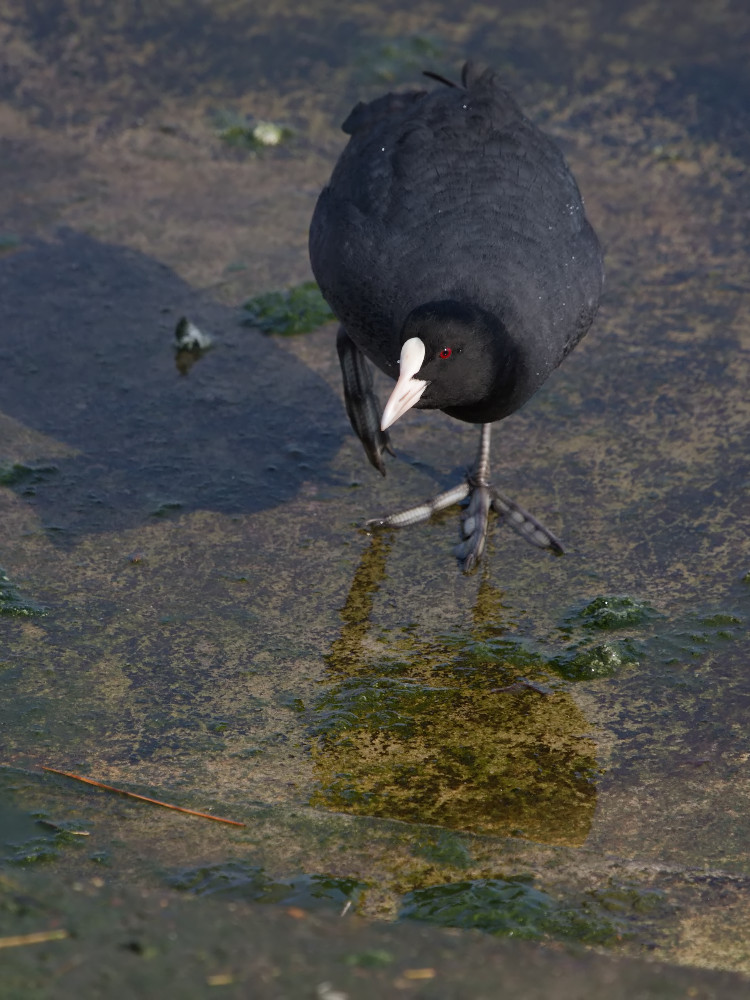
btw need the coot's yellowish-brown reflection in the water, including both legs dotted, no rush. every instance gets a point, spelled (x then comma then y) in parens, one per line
(466, 730)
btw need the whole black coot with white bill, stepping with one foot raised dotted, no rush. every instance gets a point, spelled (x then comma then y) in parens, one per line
(452, 245)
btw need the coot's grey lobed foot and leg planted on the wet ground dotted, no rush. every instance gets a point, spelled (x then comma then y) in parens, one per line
(474, 520)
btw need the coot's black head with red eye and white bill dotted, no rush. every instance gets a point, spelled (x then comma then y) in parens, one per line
(453, 355)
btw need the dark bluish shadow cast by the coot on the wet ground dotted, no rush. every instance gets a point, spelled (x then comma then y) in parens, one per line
(87, 357)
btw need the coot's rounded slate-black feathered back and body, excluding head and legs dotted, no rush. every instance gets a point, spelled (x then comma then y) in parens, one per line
(454, 194)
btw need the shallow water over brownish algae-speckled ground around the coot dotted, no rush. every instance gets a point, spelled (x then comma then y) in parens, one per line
(189, 607)
